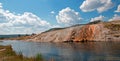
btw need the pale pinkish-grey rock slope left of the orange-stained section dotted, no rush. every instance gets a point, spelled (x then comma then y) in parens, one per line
(63, 35)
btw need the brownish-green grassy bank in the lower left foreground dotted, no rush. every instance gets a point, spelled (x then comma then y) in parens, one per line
(7, 54)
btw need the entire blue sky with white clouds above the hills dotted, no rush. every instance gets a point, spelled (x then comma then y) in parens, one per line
(35, 16)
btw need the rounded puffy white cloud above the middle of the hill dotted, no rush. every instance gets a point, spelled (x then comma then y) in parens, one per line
(68, 16)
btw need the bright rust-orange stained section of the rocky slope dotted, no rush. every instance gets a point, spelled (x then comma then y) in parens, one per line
(88, 32)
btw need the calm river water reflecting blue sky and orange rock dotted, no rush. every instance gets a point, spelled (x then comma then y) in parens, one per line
(90, 51)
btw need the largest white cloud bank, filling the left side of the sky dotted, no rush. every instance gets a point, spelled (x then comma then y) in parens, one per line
(12, 23)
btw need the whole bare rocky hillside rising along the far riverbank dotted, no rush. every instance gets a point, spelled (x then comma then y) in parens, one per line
(102, 31)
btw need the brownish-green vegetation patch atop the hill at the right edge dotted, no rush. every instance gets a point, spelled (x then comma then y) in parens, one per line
(115, 26)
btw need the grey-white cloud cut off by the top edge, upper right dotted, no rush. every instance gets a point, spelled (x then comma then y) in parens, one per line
(99, 5)
